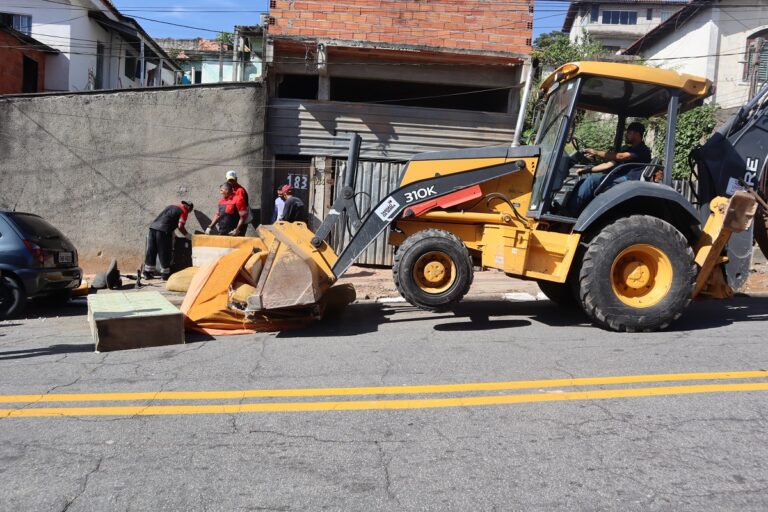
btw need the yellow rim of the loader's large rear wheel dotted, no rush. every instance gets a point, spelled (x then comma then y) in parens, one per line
(641, 276)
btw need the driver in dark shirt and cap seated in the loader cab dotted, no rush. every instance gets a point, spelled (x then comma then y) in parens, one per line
(634, 152)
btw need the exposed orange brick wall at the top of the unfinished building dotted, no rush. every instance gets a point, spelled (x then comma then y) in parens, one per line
(481, 25)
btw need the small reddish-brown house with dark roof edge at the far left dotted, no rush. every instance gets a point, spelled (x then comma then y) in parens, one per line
(23, 62)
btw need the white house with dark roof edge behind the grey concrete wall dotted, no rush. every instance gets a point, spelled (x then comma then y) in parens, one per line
(100, 48)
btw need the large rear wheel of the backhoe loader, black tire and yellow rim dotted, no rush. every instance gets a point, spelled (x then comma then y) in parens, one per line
(638, 274)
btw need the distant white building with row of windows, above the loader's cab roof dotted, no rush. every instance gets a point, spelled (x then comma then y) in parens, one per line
(618, 23)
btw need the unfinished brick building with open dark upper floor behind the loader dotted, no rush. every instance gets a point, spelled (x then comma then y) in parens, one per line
(408, 76)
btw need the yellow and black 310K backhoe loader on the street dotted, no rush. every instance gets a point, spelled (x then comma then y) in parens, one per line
(633, 257)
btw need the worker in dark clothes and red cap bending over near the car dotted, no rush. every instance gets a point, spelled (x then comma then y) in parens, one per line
(160, 238)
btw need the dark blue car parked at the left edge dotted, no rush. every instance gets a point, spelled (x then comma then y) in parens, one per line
(36, 260)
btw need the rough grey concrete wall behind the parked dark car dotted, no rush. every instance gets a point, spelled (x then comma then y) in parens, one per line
(101, 166)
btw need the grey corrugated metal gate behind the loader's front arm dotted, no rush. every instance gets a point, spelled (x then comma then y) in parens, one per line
(373, 183)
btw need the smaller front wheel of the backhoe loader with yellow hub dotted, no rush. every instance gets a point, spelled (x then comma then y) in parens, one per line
(432, 269)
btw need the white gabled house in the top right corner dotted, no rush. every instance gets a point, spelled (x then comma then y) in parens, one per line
(725, 42)
